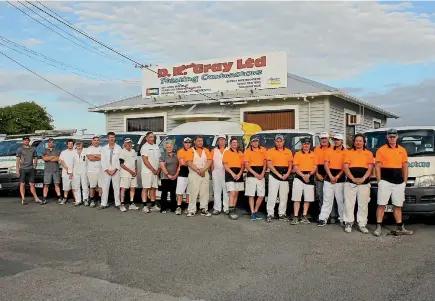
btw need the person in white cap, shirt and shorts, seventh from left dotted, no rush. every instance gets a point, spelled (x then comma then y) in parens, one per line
(128, 163)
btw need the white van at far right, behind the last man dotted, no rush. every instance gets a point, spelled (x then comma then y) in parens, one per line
(419, 142)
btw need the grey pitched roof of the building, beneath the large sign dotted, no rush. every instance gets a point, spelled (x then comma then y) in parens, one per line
(296, 86)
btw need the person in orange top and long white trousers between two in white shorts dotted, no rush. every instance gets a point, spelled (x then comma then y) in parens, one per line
(279, 161)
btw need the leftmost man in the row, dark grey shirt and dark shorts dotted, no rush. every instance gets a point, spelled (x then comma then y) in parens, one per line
(27, 160)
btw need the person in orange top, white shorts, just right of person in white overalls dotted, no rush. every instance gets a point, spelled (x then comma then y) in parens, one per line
(234, 167)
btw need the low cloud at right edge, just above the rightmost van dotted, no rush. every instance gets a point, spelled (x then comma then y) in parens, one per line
(414, 103)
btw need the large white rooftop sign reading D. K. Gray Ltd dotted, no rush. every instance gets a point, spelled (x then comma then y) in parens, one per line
(261, 71)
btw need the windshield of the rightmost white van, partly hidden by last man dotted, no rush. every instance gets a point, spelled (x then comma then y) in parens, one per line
(416, 142)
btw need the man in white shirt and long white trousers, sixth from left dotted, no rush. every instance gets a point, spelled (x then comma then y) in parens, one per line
(111, 171)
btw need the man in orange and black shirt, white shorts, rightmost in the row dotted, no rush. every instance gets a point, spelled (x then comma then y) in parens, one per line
(392, 175)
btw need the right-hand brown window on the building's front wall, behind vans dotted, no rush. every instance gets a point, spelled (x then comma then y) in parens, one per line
(272, 120)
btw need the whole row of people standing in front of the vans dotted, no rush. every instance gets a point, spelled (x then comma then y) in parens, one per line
(340, 175)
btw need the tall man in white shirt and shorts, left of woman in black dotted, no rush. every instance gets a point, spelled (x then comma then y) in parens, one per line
(150, 154)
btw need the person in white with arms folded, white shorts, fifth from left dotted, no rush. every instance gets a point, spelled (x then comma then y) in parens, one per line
(94, 170)
